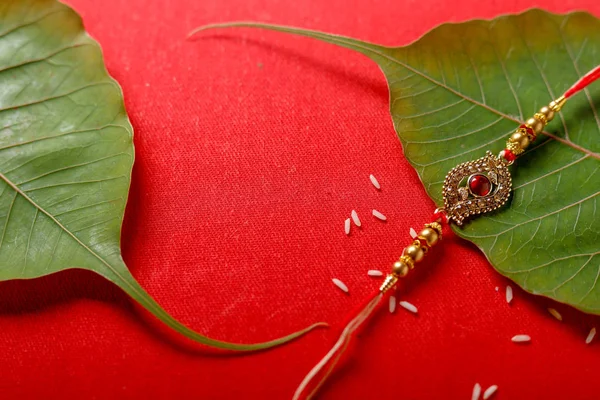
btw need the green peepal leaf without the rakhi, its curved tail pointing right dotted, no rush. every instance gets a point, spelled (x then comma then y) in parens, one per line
(66, 154)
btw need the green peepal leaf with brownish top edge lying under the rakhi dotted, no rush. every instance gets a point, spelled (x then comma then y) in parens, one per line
(462, 89)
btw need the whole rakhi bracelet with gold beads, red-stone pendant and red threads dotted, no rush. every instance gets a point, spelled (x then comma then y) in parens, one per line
(471, 188)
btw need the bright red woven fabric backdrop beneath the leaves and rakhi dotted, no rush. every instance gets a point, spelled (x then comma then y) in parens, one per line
(252, 148)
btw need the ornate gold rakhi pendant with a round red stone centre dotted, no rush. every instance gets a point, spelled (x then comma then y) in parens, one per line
(476, 187)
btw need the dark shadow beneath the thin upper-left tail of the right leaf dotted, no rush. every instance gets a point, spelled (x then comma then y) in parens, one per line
(376, 87)
